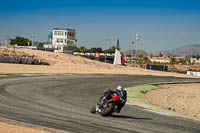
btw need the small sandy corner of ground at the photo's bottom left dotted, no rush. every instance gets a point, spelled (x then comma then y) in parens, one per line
(12, 128)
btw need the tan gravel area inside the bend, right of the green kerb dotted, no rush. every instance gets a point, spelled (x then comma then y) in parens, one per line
(181, 98)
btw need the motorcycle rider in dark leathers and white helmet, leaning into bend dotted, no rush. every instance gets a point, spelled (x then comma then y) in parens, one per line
(121, 92)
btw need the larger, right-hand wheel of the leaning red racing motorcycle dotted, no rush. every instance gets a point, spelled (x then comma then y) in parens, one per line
(108, 110)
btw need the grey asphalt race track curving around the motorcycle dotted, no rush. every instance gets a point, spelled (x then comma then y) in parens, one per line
(63, 102)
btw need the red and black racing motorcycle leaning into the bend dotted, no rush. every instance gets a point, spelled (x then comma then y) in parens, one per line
(107, 106)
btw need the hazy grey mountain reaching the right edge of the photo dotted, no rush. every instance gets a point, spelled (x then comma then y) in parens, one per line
(182, 50)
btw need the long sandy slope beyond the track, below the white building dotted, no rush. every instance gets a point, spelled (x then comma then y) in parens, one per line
(67, 63)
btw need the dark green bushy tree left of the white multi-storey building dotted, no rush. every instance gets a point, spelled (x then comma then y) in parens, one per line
(20, 41)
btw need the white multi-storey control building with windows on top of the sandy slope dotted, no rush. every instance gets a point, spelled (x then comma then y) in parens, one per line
(61, 37)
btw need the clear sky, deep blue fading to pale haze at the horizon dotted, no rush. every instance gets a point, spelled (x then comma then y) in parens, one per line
(162, 24)
